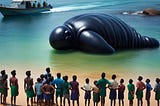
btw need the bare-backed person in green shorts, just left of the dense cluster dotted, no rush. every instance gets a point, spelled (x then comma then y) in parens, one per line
(28, 87)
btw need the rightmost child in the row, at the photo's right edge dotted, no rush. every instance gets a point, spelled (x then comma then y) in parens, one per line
(157, 90)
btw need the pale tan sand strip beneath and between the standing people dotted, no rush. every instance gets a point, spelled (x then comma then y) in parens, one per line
(21, 99)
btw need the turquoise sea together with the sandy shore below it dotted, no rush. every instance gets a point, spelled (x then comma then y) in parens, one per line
(25, 45)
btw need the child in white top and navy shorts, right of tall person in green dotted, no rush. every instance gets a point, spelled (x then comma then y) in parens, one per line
(113, 87)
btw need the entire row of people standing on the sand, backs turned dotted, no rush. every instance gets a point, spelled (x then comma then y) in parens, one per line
(46, 88)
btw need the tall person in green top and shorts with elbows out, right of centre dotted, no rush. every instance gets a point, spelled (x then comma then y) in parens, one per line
(102, 87)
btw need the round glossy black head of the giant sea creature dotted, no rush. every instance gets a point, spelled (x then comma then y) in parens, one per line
(60, 38)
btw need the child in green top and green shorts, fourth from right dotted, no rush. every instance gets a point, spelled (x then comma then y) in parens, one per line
(131, 90)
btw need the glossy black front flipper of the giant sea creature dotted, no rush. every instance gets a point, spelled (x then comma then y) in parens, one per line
(92, 42)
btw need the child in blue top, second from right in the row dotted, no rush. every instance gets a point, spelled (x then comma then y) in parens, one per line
(148, 91)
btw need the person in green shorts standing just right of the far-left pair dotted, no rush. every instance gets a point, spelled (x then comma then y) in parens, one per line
(14, 87)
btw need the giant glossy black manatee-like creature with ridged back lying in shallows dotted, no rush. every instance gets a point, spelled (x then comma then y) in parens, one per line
(98, 33)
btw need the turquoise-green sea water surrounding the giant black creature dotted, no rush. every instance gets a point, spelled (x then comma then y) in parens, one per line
(24, 41)
